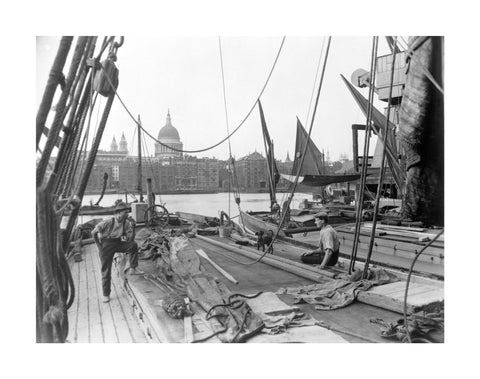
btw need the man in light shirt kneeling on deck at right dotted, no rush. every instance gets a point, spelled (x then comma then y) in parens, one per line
(327, 252)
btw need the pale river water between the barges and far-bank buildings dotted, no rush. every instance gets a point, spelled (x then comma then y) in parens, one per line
(204, 204)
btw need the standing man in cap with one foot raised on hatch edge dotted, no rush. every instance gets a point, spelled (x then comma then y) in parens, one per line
(112, 236)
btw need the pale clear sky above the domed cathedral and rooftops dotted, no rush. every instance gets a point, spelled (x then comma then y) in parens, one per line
(183, 75)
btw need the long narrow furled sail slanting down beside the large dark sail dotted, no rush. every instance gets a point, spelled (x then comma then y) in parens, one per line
(379, 127)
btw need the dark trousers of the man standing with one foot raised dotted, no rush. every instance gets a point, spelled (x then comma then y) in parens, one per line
(111, 246)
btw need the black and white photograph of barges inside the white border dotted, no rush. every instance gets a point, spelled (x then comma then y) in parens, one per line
(165, 214)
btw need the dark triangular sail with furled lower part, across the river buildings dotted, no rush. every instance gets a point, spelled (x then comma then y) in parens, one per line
(310, 171)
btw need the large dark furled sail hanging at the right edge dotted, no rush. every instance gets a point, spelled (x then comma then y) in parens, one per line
(421, 131)
